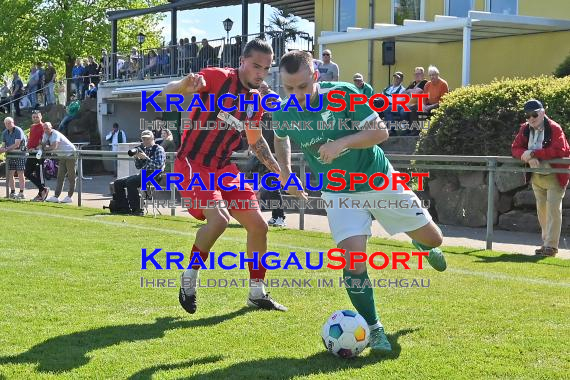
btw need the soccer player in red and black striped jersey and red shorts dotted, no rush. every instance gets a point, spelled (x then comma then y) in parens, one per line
(206, 151)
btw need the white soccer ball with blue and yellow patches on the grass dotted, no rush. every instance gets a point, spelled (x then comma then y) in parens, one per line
(345, 334)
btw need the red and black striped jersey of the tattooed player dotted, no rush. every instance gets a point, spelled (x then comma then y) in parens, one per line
(213, 148)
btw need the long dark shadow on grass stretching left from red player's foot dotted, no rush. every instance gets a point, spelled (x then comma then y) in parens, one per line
(67, 352)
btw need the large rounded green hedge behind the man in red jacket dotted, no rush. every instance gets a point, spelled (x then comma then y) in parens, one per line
(482, 120)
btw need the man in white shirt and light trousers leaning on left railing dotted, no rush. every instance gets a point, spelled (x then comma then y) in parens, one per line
(55, 140)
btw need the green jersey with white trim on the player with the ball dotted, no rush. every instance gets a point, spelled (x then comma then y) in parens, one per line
(311, 129)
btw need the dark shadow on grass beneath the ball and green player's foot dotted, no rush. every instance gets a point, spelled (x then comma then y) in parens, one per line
(281, 368)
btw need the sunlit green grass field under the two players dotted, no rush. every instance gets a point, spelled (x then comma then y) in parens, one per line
(72, 307)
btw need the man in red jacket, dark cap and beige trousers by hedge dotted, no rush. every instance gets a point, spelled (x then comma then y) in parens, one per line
(543, 139)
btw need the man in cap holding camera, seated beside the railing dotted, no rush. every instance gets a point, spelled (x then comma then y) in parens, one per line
(149, 156)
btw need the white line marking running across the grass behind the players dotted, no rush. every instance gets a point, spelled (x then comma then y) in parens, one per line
(488, 275)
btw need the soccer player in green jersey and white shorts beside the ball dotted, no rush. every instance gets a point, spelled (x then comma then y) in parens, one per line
(353, 150)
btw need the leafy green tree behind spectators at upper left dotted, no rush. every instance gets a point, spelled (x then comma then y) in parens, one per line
(62, 30)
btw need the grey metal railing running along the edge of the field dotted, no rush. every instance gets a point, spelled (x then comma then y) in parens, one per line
(489, 164)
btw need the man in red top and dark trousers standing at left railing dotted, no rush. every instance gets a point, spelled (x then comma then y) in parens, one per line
(34, 166)
